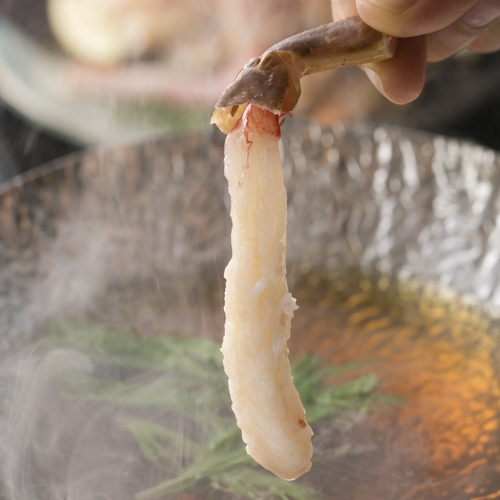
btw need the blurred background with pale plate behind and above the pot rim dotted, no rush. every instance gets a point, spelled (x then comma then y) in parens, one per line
(75, 73)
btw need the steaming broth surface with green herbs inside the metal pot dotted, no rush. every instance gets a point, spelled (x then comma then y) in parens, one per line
(416, 408)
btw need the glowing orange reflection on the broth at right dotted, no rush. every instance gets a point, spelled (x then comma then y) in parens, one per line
(434, 351)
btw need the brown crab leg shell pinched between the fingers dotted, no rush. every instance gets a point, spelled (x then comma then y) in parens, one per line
(272, 81)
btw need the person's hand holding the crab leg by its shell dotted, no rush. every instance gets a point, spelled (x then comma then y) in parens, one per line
(428, 30)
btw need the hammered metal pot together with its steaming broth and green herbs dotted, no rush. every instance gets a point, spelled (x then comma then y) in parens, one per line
(424, 427)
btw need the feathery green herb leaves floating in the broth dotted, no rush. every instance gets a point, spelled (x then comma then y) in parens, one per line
(184, 378)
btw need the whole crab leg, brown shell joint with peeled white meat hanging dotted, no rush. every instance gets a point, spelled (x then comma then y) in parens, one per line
(258, 306)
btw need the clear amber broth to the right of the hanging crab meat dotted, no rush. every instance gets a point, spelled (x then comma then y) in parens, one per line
(436, 352)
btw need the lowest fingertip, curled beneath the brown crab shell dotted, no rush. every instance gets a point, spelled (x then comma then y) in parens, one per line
(401, 79)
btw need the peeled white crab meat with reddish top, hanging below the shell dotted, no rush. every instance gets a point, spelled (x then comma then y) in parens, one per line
(258, 305)
